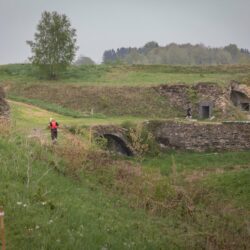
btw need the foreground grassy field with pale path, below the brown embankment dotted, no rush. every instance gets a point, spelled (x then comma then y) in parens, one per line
(74, 196)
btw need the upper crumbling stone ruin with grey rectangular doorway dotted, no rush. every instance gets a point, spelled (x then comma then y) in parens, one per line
(206, 98)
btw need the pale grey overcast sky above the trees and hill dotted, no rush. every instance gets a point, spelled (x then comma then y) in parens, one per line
(107, 24)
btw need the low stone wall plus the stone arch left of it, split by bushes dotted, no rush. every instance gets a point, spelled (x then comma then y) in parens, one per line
(183, 135)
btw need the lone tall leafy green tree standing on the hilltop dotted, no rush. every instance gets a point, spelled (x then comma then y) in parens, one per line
(54, 45)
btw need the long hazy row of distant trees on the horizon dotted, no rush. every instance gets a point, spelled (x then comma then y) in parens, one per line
(178, 54)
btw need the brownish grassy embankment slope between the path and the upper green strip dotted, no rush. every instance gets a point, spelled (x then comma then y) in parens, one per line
(108, 101)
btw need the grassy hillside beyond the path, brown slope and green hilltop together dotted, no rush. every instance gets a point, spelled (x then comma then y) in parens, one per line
(113, 90)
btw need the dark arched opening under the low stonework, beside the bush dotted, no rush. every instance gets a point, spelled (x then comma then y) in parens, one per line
(116, 144)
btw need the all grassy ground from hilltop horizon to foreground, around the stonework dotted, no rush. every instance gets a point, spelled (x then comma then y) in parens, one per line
(76, 196)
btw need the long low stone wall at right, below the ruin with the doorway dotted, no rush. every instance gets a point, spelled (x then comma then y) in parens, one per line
(201, 136)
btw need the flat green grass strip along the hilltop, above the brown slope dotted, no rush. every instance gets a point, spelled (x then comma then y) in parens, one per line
(125, 75)
